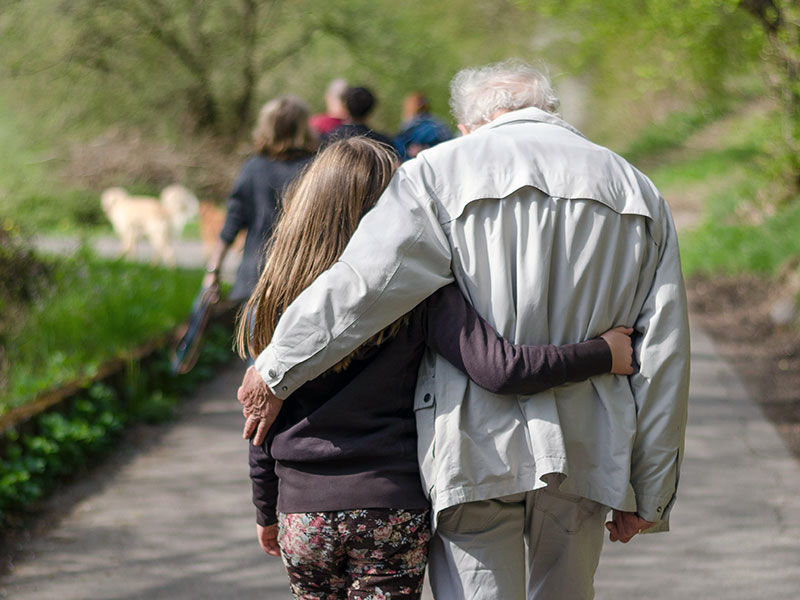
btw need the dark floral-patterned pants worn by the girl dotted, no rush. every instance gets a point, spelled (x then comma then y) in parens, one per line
(370, 554)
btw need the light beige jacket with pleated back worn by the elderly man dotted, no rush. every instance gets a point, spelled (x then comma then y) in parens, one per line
(554, 240)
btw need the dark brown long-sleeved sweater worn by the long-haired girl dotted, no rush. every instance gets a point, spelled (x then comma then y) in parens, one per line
(347, 439)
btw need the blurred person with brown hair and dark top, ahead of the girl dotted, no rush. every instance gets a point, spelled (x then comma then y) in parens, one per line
(283, 144)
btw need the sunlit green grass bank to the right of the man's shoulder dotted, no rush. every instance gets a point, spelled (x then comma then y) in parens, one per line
(733, 178)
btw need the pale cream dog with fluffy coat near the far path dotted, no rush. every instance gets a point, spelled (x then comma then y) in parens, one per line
(135, 216)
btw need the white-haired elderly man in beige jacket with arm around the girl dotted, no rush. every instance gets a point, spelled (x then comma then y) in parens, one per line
(553, 239)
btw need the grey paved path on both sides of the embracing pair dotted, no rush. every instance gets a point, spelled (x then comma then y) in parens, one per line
(174, 521)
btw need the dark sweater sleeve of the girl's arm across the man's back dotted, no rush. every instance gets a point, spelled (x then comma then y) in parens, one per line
(456, 331)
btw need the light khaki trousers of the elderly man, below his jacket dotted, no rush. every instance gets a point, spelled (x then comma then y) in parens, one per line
(479, 549)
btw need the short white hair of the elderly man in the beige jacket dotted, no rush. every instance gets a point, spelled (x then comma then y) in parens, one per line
(477, 94)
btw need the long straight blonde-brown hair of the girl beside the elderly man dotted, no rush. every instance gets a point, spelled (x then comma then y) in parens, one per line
(321, 210)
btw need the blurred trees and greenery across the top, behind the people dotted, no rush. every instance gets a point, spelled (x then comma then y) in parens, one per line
(177, 83)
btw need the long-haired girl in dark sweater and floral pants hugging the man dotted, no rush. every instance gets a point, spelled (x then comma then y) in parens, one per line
(336, 483)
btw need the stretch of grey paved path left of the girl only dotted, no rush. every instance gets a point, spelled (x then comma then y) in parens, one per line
(174, 522)
